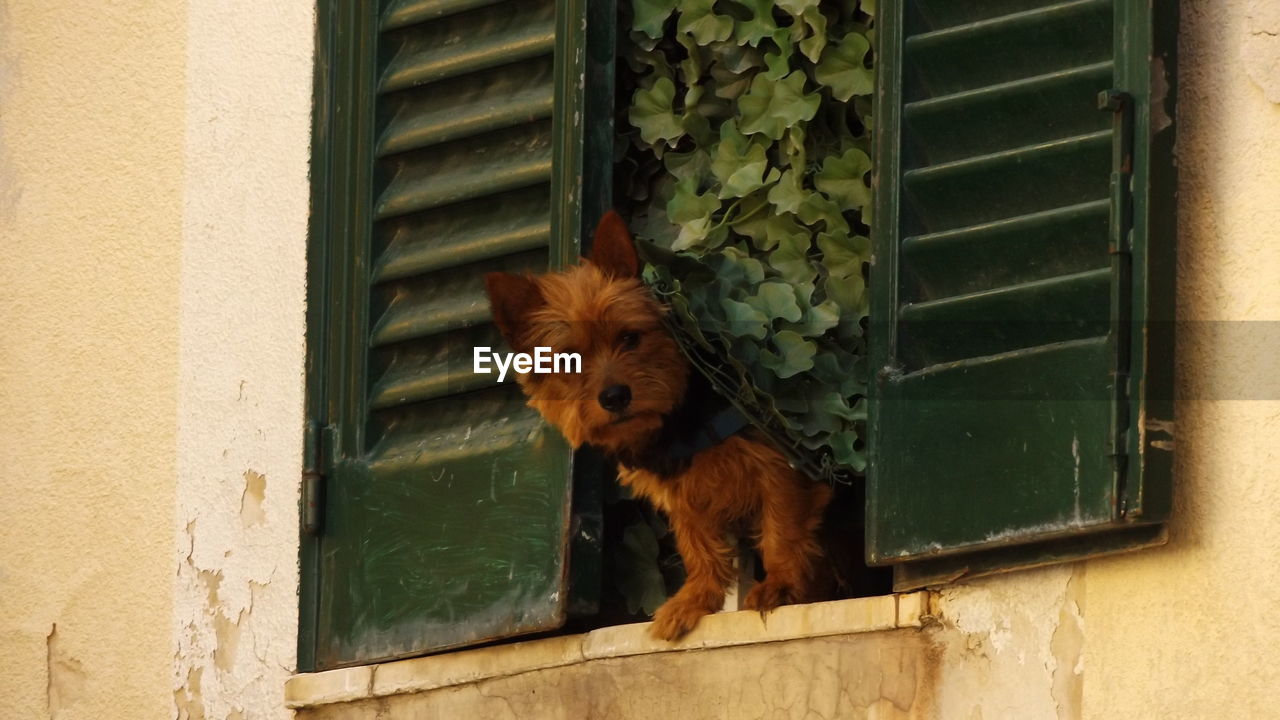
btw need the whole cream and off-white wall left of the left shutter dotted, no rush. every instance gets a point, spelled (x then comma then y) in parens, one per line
(153, 211)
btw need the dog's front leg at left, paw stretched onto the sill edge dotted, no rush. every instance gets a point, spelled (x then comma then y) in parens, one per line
(710, 568)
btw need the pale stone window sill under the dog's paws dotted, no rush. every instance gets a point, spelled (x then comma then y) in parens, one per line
(724, 630)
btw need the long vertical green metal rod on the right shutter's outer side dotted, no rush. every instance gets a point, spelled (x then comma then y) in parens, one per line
(1121, 245)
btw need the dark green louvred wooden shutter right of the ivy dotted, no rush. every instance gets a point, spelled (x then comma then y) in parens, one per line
(1022, 284)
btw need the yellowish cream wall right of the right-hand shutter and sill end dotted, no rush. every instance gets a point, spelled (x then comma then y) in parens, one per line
(1191, 630)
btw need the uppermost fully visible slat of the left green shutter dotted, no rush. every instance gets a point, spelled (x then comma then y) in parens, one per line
(469, 43)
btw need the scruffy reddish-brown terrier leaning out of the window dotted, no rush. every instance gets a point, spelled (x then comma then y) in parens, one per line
(638, 399)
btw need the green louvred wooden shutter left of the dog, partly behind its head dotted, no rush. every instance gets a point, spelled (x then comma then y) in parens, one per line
(450, 143)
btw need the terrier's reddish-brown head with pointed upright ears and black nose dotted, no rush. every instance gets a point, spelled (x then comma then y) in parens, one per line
(633, 372)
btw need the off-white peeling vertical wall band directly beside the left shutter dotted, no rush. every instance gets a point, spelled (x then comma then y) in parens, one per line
(241, 382)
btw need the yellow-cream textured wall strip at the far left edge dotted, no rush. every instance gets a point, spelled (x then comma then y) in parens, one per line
(92, 186)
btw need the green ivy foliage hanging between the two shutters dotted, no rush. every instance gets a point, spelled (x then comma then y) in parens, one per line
(746, 157)
